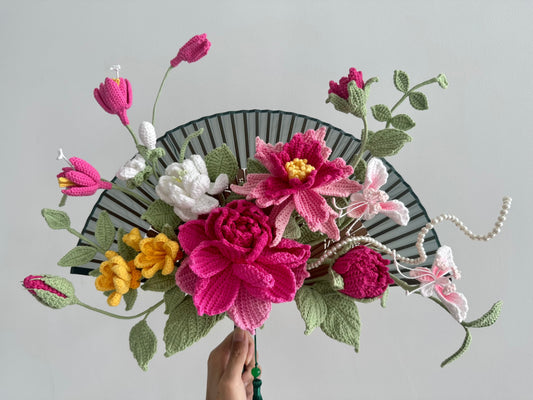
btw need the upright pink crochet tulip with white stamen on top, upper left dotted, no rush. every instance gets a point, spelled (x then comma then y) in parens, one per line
(115, 97)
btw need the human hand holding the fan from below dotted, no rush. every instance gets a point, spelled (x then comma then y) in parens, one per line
(226, 379)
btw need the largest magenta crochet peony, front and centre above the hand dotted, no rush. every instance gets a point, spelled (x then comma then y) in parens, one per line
(231, 266)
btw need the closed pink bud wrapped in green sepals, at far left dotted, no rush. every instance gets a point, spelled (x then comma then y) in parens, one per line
(52, 291)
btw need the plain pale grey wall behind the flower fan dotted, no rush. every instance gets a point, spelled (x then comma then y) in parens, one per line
(471, 148)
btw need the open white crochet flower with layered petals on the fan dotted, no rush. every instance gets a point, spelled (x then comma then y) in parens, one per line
(186, 186)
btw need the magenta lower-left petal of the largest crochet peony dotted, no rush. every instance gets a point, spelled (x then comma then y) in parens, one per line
(217, 294)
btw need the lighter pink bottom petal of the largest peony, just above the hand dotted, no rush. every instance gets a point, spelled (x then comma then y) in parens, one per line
(248, 312)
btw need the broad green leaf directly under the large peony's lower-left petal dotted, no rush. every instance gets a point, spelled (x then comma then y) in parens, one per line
(185, 327)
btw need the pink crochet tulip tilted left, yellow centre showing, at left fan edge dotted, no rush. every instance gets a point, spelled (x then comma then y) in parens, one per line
(82, 180)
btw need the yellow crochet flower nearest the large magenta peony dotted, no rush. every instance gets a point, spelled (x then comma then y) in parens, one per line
(158, 253)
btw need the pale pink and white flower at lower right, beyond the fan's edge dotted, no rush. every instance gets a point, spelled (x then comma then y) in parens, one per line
(434, 281)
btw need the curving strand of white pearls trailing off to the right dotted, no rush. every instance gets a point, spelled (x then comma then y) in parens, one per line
(355, 240)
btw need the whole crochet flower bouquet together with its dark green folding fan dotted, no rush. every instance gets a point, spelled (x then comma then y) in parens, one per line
(224, 227)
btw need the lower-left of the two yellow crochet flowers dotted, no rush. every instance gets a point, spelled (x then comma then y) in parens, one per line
(117, 275)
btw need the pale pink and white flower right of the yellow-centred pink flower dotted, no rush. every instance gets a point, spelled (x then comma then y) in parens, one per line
(371, 201)
